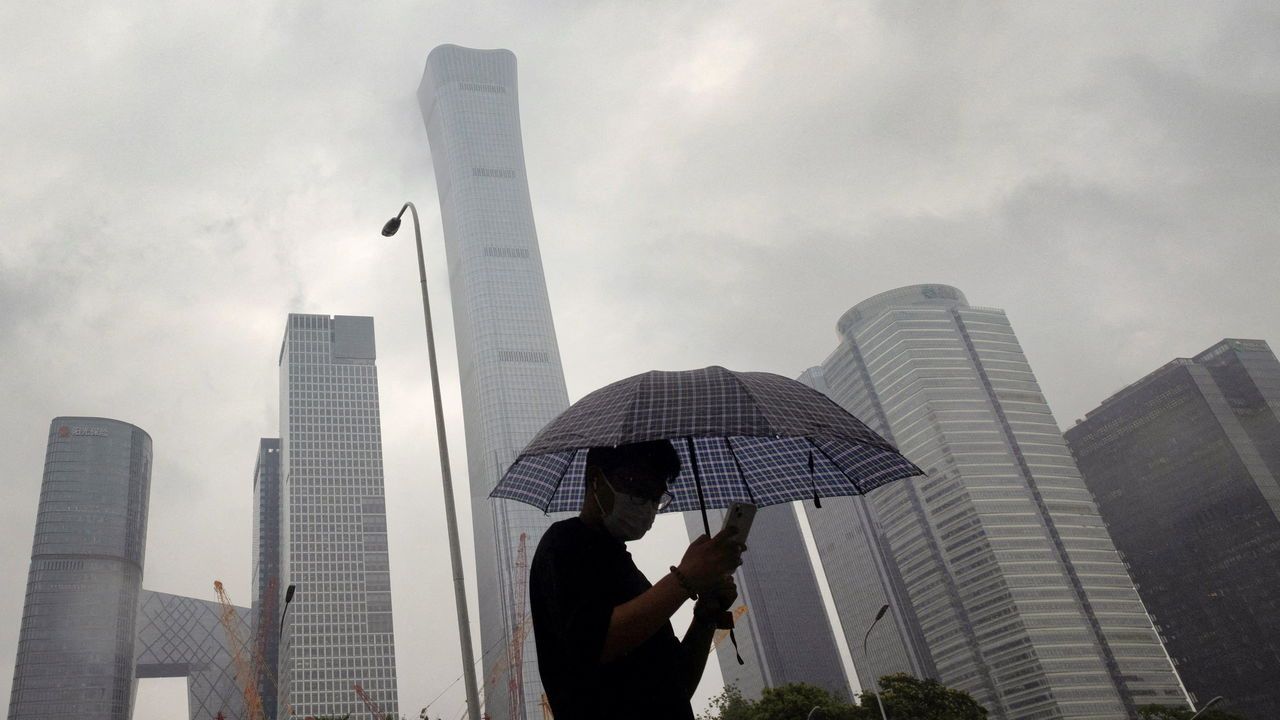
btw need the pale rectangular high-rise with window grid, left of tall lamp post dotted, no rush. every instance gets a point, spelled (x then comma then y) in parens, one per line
(333, 522)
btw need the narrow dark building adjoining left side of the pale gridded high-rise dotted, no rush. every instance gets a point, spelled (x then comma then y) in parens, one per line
(267, 590)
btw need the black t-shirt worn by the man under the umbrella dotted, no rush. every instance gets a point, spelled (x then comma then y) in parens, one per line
(579, 576)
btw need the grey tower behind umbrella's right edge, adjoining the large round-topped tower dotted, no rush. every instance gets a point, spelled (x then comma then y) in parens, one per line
(863, 578)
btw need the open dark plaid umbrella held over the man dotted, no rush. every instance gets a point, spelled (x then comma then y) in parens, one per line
(751, 438)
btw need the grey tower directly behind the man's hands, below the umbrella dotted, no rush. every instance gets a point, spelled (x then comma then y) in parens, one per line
(785, 635)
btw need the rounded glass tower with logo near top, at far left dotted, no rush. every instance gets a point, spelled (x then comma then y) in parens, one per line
(76, 645)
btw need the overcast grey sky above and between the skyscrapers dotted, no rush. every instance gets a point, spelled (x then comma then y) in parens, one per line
(714, 184)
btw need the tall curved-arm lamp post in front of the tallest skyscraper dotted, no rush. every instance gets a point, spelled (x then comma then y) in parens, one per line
(460, 593)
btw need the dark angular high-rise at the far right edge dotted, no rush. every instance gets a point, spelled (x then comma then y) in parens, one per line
(1185, 466)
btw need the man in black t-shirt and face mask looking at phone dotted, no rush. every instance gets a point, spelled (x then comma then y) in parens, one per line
(606, 648)
